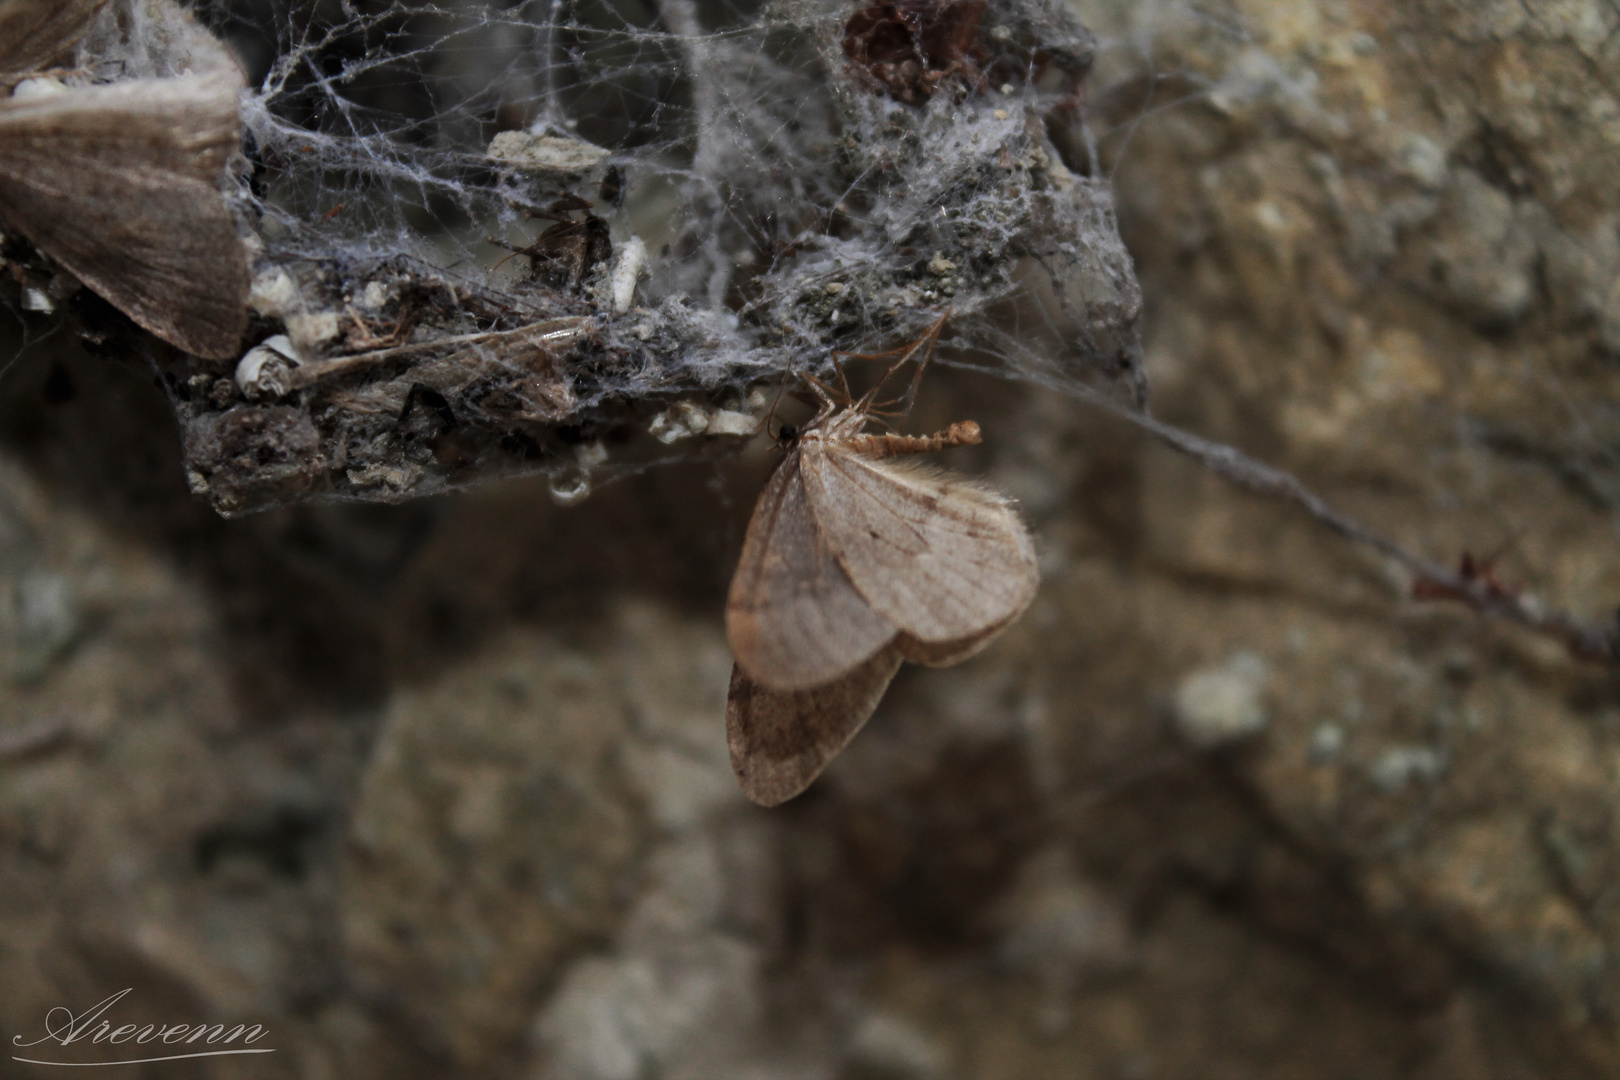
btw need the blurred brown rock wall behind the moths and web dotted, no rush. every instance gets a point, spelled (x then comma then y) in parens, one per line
(441, 789)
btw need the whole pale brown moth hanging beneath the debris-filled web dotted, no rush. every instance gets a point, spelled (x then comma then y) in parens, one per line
(858, 559)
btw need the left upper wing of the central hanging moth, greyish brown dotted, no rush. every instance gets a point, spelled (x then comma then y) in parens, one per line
(793, 616)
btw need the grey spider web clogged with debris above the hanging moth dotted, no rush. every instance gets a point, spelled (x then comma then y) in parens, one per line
(774, 181)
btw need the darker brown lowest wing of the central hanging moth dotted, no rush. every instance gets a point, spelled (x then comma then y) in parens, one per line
(780, 742)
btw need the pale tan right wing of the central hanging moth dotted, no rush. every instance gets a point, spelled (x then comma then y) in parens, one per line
(945, 561)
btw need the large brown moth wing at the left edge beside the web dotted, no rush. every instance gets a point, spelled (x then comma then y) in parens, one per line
(121, 185)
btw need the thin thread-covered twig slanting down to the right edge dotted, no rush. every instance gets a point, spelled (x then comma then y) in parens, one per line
(1431, 580)
